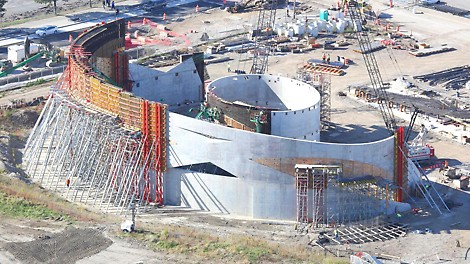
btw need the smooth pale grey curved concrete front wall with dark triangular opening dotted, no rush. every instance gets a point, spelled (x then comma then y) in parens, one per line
(263, 166)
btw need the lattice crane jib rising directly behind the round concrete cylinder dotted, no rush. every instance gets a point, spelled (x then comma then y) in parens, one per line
(261, 34)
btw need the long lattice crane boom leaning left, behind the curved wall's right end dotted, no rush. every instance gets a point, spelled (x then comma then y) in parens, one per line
(354, 10)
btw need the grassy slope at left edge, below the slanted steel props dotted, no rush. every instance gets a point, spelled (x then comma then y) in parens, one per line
(21, 200)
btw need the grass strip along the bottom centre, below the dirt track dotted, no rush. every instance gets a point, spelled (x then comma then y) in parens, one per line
(200, 246)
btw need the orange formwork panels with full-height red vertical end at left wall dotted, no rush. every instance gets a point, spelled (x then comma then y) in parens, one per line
(82, 84)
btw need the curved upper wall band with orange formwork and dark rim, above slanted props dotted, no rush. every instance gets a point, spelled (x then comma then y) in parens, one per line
(83, 84)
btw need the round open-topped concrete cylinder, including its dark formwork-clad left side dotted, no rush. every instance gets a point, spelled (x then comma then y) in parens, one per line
(290, 108)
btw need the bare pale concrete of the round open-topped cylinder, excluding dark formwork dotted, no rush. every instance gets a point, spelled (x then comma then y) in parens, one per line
(298, 103)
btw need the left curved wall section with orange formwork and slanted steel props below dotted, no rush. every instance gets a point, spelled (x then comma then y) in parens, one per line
(111, 144)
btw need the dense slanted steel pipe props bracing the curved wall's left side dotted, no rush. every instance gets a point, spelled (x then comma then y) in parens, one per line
(88, 157)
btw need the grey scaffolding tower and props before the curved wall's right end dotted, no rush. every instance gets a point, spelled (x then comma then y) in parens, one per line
(326, 199)
